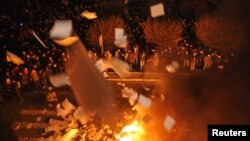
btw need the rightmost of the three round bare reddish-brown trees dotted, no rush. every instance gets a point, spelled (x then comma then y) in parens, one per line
(220, 33)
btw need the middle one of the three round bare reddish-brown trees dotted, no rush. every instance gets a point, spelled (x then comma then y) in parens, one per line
(163, 33)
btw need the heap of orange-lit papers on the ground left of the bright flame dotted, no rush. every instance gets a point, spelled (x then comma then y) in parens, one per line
(77, 124)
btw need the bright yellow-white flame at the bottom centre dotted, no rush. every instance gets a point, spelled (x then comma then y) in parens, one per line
(131, 132)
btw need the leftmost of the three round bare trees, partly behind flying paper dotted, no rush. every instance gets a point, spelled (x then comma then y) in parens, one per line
(106, 28)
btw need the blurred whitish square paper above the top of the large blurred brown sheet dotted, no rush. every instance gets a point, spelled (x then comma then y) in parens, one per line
(61, 29)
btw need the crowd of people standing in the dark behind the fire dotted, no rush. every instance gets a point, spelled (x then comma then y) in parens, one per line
(40, 62)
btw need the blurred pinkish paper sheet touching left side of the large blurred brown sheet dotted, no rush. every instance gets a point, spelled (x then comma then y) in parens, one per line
(59, 80)
